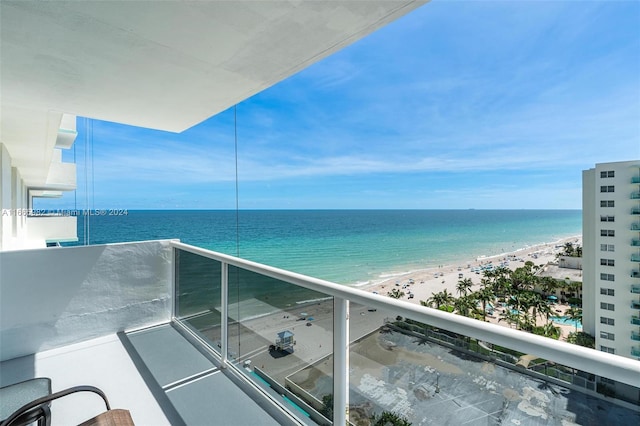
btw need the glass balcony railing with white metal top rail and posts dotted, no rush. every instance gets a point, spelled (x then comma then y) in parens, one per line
(336, 354)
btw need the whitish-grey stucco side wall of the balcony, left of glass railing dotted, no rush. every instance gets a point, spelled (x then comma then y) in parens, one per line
(58, 296)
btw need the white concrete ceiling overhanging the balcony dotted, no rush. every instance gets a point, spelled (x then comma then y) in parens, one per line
(158, 64)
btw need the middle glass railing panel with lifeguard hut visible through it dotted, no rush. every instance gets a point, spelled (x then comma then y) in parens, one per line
(282, 337)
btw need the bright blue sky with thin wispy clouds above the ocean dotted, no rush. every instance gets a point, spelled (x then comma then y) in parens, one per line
(456, 105)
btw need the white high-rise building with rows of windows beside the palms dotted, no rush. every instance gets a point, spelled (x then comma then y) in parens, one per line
(611, 265)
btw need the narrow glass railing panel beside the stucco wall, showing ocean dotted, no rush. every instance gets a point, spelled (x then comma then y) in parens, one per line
(198, 283)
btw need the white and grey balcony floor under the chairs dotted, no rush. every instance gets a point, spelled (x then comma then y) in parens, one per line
(157, 374)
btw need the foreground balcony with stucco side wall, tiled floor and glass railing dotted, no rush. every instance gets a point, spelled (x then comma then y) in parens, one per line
(204, 338)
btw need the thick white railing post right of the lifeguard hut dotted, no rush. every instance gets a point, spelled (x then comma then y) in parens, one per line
(340, 361)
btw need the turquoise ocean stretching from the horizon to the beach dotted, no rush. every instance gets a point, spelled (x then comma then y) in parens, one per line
(351, 247)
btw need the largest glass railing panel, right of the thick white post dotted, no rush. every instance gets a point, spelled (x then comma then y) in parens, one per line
(411, 371)
